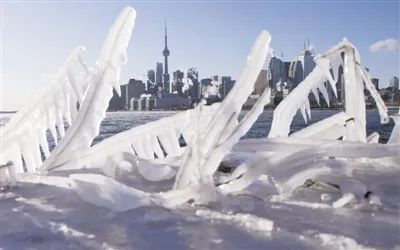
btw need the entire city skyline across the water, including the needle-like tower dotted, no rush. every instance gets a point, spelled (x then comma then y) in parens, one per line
(184, 90)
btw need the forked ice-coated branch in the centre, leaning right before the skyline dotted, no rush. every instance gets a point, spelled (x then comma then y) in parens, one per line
(212, 143)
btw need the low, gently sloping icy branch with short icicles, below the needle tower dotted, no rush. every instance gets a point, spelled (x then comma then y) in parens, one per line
(157, 141)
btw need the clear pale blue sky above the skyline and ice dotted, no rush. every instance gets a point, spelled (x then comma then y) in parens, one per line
(213, 36)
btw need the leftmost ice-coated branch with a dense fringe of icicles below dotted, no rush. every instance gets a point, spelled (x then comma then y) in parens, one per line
(24, 136)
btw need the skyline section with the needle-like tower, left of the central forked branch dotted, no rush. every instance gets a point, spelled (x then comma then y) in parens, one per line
(160, 92)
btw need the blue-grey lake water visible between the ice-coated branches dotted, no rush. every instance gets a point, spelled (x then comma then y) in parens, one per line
(116, 122)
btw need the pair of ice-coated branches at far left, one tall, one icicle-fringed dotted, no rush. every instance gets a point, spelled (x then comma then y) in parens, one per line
(24, 137)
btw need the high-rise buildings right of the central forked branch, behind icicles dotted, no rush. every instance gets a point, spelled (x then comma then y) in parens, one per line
(283, 76)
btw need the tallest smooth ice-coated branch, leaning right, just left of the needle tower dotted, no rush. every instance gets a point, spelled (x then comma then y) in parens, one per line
(106, 76)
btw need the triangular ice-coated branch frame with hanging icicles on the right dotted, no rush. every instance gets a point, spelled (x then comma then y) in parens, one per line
(355, 77)
